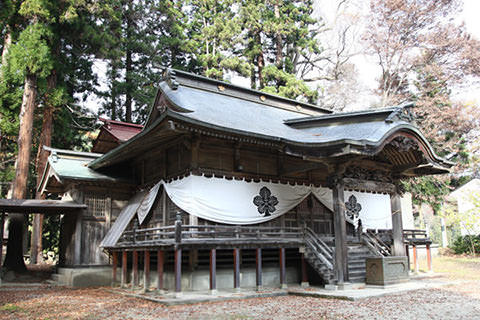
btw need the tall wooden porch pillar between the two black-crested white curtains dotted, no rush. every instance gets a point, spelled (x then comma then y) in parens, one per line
(340, 232)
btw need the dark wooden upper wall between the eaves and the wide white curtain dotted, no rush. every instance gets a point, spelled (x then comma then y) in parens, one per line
(202, 154)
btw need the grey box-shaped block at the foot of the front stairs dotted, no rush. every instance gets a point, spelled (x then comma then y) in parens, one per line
(387, 270)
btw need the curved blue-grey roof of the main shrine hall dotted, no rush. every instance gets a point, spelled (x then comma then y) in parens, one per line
(301, 128)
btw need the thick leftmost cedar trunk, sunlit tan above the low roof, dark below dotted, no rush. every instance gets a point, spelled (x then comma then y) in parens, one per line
(14, 257)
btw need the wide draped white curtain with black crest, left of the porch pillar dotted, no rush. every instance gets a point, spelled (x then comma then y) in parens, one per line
(237, 201)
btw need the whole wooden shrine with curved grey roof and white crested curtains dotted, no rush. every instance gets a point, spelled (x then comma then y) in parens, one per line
(177, 197)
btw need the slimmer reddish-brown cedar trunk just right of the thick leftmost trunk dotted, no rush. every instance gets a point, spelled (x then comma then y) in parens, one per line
(36, 248)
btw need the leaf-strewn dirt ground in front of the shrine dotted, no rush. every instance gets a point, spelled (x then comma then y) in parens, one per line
(458, 301)
